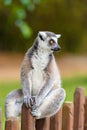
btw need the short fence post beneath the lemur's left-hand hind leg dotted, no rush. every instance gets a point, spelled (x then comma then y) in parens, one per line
(12, 124)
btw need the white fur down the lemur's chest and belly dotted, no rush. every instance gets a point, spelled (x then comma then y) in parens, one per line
(38, 76)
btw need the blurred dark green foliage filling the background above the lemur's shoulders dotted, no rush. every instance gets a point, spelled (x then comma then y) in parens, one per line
(20, 20)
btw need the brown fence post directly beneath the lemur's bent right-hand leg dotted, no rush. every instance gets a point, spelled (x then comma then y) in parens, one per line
(56, 121)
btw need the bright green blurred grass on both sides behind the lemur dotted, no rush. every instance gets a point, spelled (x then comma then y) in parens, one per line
(69, 84)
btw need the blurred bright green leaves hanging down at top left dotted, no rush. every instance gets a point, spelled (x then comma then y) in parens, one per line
(18, 12)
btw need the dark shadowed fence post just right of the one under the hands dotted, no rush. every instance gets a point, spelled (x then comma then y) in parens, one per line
(43, 124)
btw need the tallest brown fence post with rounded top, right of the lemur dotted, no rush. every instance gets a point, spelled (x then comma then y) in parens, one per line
(79, 100)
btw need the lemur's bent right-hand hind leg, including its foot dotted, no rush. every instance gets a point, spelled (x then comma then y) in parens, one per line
(51, 104)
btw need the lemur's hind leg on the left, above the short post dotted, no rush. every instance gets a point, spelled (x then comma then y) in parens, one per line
(13, 103)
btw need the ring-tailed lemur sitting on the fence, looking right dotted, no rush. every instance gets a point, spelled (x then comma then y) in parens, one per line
(41, 84)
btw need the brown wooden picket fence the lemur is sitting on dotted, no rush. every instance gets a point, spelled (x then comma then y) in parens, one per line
(72, 116)
